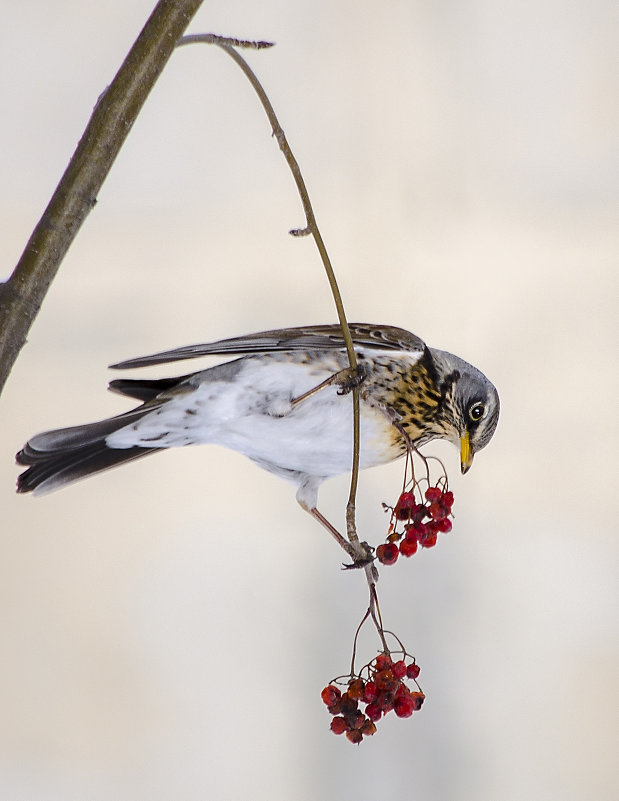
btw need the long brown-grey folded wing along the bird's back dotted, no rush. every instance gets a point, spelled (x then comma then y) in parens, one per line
(311, 337)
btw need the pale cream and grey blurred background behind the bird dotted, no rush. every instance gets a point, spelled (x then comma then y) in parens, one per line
(166, 628)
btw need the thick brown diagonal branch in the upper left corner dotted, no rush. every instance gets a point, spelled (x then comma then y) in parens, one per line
(23, 293)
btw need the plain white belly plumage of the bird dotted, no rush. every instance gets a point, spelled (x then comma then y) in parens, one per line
(252, 414)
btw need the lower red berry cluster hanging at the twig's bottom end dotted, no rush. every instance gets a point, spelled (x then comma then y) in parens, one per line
(382, 691)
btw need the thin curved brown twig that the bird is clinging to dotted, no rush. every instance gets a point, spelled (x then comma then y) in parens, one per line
(312, 227)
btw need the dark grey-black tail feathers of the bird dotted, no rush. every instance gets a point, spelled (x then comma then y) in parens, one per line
(60, 457)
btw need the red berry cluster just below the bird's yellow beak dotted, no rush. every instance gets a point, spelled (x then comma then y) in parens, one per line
(412, 511)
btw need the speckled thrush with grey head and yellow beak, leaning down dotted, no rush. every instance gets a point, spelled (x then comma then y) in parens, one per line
(283, 404)
